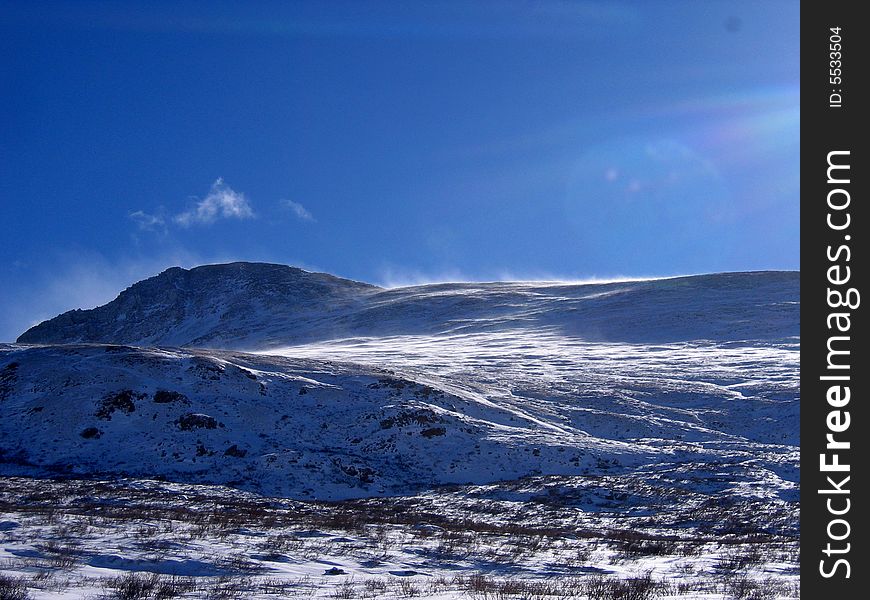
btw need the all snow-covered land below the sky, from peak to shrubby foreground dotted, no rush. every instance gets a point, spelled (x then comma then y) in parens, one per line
(450, 441)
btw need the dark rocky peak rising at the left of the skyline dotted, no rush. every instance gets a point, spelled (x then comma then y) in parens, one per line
(203, 306)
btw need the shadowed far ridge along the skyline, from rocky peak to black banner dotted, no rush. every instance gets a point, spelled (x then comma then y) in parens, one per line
(261, 306)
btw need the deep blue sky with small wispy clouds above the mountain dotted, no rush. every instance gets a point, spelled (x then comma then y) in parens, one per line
(392, 142)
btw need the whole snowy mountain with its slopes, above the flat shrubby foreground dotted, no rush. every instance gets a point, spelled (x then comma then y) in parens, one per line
(349, 390)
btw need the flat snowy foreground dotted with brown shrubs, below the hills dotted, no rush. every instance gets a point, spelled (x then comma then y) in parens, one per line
(613, 537)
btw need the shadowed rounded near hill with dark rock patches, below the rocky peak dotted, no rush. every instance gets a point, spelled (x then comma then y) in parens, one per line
(289, 427)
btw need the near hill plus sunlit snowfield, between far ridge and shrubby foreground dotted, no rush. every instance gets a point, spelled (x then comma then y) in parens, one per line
(307, 427)
